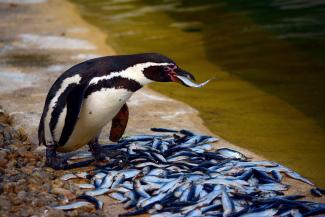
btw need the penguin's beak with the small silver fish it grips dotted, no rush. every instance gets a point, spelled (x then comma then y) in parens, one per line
(187, 79)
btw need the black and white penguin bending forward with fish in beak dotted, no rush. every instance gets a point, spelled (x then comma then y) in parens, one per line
(93, 93)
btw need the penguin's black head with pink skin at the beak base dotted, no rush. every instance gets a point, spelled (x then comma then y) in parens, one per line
(166, 70)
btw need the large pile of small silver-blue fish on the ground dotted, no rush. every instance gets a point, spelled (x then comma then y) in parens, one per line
(177, 173)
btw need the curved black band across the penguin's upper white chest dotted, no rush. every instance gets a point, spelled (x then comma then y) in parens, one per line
(115, 82)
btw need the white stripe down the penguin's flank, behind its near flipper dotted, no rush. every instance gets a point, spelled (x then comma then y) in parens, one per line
(71, 80)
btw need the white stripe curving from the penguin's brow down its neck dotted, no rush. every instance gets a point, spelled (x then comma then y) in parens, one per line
(133, 72)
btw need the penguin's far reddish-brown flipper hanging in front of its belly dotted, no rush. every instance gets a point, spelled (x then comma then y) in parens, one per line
(119, 123)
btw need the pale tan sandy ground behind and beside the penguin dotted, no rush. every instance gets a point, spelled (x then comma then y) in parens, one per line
(38, 41)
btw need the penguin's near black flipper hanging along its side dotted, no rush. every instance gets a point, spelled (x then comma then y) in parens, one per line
(73, 102)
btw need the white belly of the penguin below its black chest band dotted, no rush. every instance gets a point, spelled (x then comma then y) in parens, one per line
(97, 110)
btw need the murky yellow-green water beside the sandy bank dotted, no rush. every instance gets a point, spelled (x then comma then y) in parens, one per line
(268, 57)
